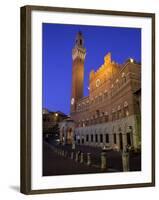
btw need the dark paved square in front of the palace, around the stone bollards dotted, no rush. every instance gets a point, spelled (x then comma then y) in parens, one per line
(54, 164)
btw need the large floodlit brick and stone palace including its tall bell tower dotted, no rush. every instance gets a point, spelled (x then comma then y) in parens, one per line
(110, 115)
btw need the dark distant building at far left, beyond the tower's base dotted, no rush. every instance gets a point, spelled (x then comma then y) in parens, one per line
(51, 121)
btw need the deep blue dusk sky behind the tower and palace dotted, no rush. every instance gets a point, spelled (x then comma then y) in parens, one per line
(58, 41)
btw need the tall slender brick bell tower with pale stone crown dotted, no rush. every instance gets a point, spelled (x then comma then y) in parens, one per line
(78, 57)
